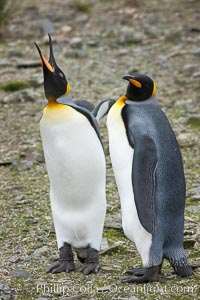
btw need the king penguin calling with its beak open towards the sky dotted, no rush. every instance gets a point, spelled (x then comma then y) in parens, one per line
(75, 164)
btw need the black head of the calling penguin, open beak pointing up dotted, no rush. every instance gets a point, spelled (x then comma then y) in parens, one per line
(55, 82)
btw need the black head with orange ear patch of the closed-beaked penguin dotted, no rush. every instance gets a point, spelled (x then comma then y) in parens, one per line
(140, 87)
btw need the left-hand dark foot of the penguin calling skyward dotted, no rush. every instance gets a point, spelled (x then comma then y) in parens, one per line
(66, 261)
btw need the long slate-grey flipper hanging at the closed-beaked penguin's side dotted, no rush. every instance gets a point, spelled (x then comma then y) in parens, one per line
(143, 178)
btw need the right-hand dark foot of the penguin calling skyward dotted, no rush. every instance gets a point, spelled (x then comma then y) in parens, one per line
(91, 264)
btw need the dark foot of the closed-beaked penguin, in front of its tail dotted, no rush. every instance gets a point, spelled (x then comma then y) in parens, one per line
(150, 275)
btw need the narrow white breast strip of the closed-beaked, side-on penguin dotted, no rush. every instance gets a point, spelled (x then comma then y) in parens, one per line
(122, 158)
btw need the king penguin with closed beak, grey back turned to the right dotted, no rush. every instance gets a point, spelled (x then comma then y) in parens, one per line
(149, 174)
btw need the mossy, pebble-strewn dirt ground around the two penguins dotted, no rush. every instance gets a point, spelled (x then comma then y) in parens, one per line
(96, 43)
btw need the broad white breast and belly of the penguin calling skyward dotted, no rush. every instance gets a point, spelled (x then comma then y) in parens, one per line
(76, 168)
